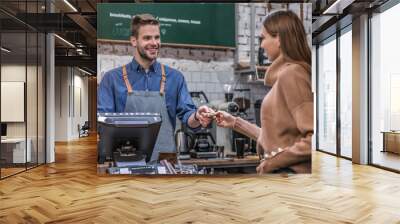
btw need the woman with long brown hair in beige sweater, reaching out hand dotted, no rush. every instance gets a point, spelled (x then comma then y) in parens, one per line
(284, 139)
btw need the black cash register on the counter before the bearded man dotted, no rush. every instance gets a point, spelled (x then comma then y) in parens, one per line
(127, 141)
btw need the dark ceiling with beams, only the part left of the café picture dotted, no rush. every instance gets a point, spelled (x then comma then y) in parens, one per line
(76, 25)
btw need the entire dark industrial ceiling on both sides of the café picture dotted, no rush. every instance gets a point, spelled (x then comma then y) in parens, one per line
(75, 21)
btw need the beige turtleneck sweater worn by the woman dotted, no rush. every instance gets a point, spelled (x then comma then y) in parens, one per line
(286, 117)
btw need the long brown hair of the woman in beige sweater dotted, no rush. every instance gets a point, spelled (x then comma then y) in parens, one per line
(290, 30)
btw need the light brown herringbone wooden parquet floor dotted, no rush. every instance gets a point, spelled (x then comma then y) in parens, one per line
(69, 191)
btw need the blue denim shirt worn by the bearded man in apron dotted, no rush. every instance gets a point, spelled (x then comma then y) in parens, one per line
(112, 92)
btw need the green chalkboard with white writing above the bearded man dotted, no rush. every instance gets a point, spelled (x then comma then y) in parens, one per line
(211, 24)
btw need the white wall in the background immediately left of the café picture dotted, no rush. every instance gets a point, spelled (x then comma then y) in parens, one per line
(70, 83)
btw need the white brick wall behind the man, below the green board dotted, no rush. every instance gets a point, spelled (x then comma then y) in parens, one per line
(209, 73)
